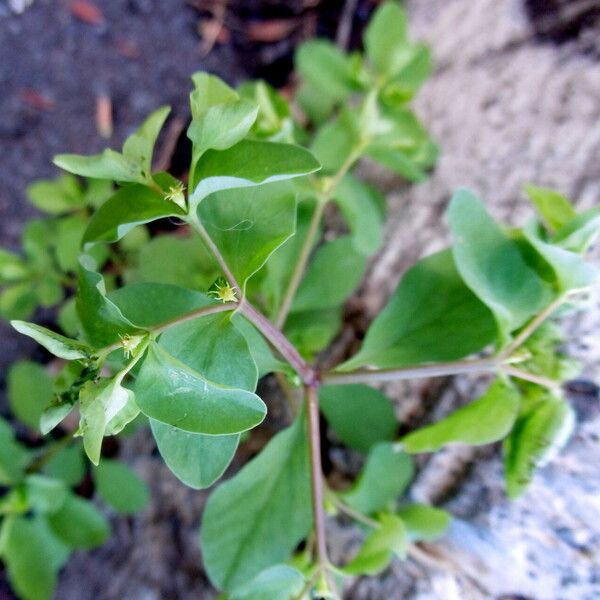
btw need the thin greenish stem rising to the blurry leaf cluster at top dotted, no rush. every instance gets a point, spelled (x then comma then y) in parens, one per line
(313, 228)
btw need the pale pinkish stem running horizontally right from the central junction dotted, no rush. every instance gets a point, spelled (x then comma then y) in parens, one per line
(476, 365)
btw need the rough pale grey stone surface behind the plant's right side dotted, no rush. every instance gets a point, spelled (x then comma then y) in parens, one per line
(506, 110)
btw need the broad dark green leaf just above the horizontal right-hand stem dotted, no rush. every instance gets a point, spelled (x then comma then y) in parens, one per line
(432, 316)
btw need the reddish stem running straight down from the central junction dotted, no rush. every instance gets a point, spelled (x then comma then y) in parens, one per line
(314, 439)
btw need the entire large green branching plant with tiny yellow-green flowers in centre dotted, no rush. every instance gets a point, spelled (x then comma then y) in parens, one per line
(189, 359)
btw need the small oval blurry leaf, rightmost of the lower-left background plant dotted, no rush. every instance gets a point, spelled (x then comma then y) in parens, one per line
(121, 487)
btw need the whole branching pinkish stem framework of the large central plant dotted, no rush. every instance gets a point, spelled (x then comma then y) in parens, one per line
(311, 377)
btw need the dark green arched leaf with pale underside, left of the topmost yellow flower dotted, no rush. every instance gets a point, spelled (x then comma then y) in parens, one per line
(130, 206)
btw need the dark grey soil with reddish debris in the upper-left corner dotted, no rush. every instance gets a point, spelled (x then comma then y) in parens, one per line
(58, 58)
